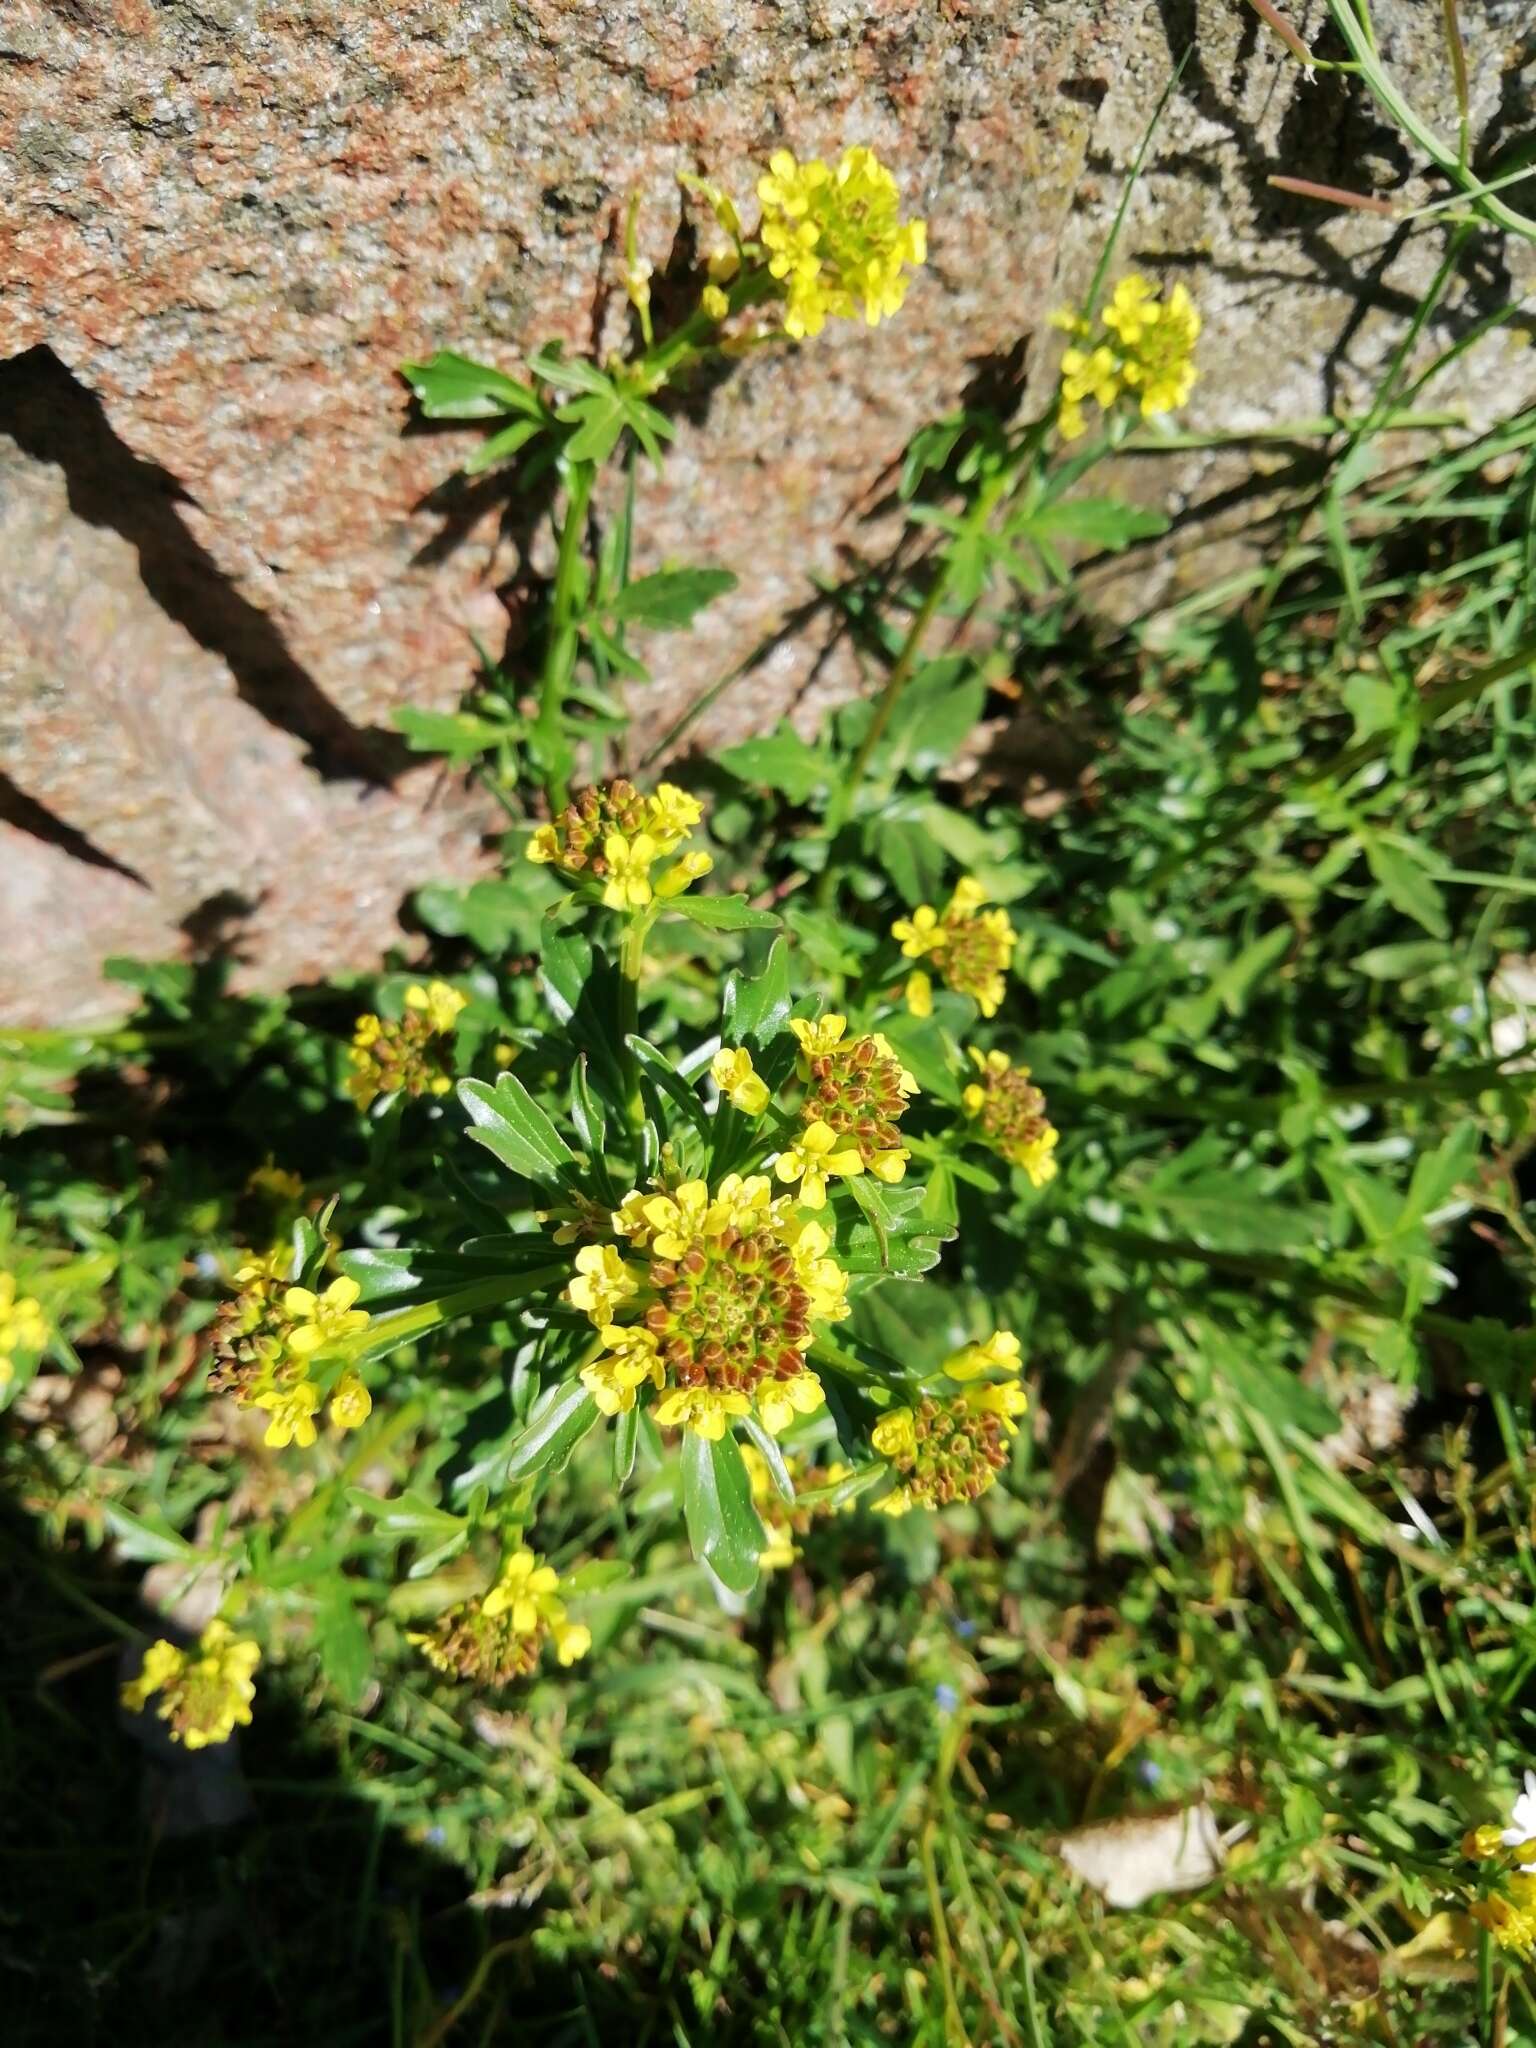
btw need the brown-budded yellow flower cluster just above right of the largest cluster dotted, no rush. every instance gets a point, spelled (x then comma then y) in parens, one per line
(855, 1095)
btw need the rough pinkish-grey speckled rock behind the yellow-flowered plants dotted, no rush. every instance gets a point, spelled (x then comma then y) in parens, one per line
(228, 222)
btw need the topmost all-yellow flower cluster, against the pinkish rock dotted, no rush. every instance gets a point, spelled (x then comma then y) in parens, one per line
(837, 241)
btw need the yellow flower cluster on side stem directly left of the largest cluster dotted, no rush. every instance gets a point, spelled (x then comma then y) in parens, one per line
(267, 1340)
